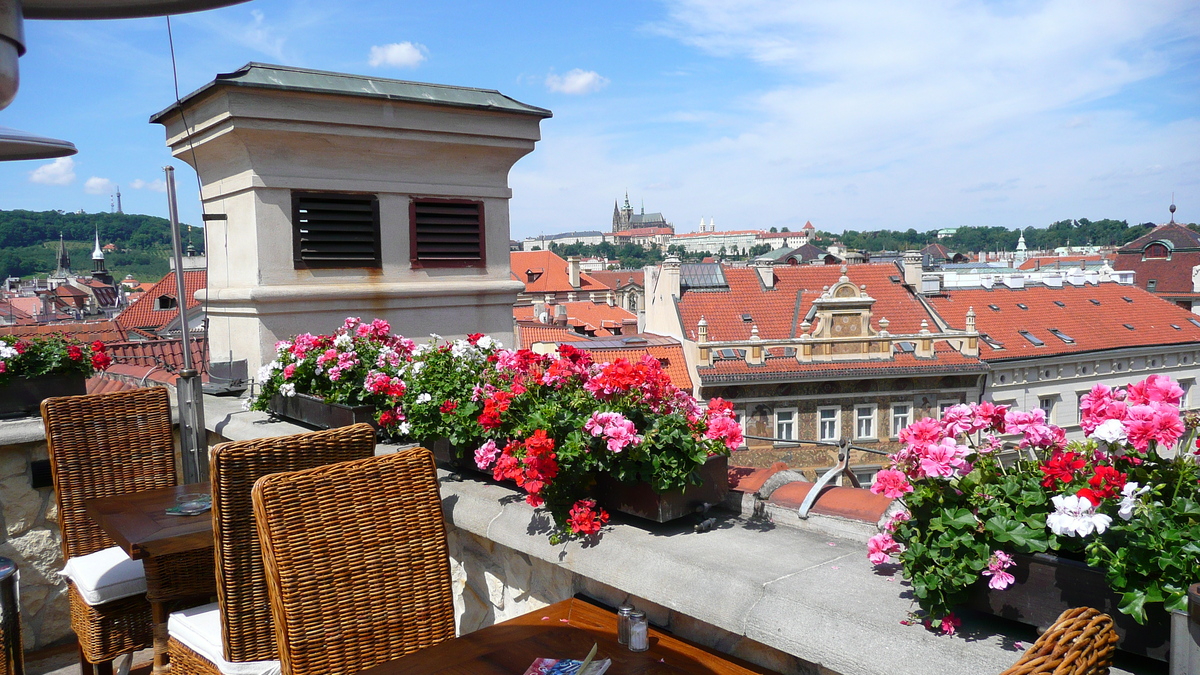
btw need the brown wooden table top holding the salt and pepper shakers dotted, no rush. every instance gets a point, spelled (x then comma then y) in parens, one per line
(566, 630)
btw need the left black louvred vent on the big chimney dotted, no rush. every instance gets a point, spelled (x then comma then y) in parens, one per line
(335, 231)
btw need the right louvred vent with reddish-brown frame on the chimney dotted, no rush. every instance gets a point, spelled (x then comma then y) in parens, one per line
(447, 234)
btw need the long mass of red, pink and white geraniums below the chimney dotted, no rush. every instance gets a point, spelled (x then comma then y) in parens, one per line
(551, 425)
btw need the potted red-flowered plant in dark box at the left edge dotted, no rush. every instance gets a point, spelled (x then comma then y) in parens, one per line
(38, 368)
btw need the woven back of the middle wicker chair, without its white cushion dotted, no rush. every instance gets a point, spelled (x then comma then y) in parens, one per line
(248, 631)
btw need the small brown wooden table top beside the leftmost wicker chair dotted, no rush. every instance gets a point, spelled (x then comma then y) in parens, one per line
(140, 524)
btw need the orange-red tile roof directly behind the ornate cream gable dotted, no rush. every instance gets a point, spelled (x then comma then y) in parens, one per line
(779, 313)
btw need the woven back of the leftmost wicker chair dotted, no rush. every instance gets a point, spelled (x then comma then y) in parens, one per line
(101, 446)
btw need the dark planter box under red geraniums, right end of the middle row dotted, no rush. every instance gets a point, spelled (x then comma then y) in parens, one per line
(641, 500)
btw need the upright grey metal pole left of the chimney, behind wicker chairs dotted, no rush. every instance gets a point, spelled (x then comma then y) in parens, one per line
(193, 437)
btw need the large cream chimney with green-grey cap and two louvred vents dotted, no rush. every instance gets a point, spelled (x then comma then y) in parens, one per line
(383, 172)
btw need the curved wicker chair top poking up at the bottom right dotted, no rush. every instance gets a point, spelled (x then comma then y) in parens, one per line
(1082, 642)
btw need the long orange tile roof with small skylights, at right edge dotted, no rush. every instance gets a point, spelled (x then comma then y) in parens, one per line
(1094, 327)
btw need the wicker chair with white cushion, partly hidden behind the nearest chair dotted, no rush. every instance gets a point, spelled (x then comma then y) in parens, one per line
(243, 614)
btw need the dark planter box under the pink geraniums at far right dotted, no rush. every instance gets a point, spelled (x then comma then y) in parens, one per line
(1047, 586)
